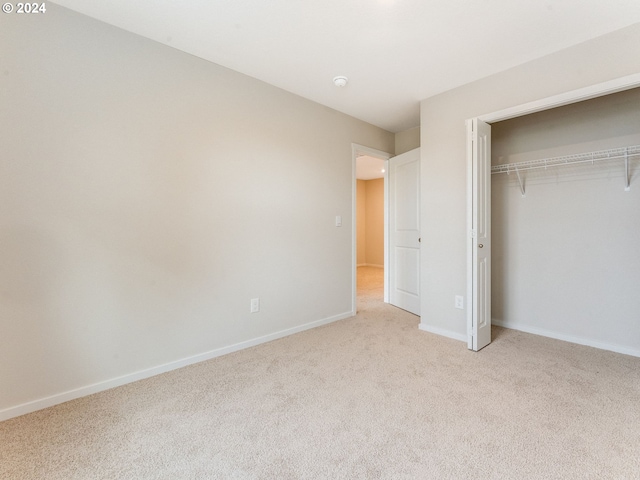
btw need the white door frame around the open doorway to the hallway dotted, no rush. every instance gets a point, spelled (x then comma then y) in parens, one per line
(357, 149)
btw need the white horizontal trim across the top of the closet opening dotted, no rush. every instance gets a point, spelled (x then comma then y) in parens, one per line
(573, 96)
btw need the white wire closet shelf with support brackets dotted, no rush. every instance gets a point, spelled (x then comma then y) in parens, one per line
(589, 157)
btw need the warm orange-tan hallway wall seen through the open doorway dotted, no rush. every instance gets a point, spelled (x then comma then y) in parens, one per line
(371, 222)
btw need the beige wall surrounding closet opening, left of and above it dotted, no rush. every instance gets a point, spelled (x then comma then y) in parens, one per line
(443, 155)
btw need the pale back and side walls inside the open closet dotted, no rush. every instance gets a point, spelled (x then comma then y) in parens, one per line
(566, 261)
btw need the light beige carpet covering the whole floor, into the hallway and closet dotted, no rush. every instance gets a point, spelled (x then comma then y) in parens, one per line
(370, 397)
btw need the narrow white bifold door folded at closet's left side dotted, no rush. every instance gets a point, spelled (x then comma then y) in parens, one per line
(479, 242)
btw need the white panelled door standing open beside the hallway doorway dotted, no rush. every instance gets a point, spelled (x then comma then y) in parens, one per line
(404, 231)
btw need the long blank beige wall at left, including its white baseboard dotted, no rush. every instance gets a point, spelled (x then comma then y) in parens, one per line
(145, 197)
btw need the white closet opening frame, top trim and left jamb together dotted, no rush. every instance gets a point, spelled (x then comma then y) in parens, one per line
(574, 96)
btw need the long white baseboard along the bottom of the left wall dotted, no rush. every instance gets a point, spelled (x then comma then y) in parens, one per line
(56, 399)
